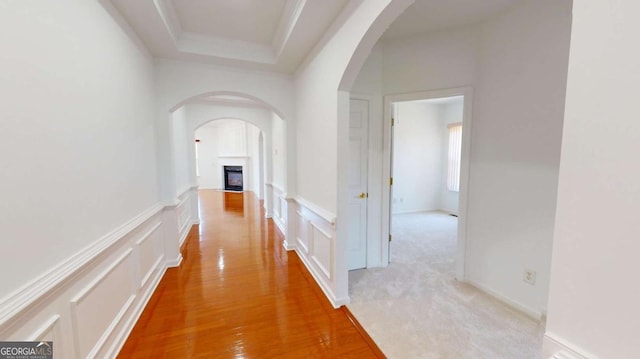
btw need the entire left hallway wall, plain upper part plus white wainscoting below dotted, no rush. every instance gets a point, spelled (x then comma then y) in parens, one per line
(81, 218)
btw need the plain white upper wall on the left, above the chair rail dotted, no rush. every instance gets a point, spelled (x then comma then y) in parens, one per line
(77, 133)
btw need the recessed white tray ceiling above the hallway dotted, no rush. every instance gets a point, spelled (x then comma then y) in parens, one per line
(265, 34)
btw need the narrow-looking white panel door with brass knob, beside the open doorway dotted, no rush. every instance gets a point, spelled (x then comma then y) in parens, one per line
(358, 157)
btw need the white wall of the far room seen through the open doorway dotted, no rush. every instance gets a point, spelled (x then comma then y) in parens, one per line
(417, 158)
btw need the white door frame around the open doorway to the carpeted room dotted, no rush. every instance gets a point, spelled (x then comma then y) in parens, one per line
(467, 92)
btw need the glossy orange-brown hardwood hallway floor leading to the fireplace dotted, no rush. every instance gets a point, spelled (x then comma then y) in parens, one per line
(239, 294)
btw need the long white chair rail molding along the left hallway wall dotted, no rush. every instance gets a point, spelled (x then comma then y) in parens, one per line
(36, 290)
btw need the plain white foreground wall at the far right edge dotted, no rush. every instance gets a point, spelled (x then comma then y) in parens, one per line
(594, 296)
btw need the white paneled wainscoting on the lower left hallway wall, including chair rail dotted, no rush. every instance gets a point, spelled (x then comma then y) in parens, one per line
(88, 304)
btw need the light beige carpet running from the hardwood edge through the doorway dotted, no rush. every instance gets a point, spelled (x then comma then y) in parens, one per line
(416, 309)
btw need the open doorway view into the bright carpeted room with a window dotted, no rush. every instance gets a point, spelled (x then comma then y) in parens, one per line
(426, 154)
